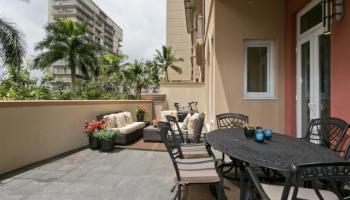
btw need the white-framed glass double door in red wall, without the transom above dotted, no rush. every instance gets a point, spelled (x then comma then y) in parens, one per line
(313, 85)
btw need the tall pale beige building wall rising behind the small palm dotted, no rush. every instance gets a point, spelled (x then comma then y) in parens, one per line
(178, 38)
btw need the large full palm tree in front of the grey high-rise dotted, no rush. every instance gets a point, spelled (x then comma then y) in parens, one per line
(68, 40)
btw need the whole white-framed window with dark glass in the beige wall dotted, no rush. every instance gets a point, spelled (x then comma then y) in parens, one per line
(259, 69)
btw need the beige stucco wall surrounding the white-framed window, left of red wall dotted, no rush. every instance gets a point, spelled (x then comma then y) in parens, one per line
(235, 21)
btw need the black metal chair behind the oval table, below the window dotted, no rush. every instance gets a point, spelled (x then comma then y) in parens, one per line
(230, 120)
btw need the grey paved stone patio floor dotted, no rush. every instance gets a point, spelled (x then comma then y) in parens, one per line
(122, 174)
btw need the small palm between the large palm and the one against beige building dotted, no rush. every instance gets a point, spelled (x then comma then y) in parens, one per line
(137, 75)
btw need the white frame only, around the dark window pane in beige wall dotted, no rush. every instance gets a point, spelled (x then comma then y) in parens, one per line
(270, 94)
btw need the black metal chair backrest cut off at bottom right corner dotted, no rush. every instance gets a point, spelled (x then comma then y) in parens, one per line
(316, 173)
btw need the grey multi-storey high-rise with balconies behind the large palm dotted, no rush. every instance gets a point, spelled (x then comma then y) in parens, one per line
(101, 29)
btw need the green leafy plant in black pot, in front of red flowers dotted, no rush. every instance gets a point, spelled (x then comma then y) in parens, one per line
(106, 138)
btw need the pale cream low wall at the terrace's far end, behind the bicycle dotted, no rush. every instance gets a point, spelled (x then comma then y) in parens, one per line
(183, 93)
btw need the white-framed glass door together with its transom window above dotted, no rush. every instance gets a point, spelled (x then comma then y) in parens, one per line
(313, 67)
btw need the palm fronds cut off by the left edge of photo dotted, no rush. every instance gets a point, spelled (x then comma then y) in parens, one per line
(12, 48)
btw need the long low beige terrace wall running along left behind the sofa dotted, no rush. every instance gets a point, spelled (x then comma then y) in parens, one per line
(34, 131)
